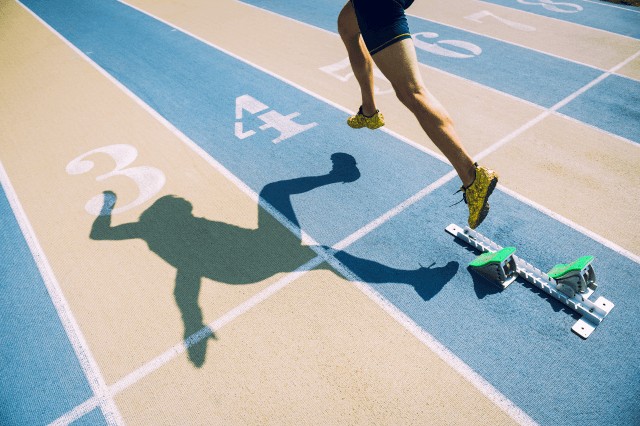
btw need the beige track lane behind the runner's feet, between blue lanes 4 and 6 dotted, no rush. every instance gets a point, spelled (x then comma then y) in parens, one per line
(296, 52)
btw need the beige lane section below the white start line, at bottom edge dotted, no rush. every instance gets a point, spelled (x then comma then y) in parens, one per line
(319, 352)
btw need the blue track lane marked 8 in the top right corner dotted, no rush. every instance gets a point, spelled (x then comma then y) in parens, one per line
(618, 19)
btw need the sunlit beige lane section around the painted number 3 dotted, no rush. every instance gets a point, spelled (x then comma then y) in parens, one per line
(55, 106)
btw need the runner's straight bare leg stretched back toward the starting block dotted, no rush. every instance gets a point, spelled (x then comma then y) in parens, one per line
(399, 64)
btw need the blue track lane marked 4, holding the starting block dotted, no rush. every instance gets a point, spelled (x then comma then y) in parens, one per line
(519, 340)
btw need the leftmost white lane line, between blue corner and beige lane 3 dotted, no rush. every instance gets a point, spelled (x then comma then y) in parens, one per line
(74, 334)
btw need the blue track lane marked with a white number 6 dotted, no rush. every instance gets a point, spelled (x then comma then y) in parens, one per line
(524, 73)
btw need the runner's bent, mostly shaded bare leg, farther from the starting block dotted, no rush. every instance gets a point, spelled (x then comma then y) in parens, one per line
(361, 61)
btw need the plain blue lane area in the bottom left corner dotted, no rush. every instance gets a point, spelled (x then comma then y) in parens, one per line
(40, 375)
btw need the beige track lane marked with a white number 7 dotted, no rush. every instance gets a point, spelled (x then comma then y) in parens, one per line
(574, 42)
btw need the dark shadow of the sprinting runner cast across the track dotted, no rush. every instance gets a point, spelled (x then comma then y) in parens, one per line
(201, 248)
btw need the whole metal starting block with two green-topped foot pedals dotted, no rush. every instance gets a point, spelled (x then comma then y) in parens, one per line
(572, 284)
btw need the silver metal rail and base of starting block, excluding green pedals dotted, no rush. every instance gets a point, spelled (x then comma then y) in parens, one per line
(593, 312)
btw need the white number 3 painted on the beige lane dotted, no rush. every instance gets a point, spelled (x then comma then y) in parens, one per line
(149, 180)
